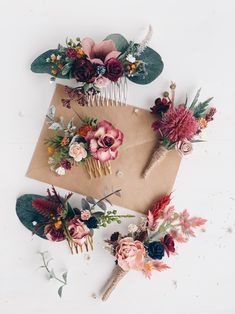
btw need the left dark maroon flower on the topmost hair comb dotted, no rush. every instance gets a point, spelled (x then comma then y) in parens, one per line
(84, 71)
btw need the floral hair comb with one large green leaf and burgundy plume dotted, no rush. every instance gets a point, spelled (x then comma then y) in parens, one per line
(51, 217)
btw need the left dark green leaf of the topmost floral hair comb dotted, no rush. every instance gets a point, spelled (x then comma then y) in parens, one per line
(40, 65)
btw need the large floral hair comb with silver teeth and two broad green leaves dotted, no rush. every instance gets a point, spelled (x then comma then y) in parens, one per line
(101, 70)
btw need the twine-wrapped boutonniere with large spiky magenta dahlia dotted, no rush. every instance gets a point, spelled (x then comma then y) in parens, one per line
(179, 125)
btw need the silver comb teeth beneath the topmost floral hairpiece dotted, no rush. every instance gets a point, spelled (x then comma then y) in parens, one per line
(115, 94)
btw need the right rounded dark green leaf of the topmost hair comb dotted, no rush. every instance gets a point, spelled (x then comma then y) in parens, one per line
(153, 64)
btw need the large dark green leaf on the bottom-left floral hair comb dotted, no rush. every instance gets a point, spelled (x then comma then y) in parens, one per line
(28, 214)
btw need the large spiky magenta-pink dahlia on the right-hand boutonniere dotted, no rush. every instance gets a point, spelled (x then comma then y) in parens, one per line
(177, 124)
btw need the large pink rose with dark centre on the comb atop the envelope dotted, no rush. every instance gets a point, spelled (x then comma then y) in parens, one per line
(104, 142)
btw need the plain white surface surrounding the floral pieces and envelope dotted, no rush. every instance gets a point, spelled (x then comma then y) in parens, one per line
(196, 42)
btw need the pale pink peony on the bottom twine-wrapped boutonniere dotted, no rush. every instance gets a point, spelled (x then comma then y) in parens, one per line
(130, 254)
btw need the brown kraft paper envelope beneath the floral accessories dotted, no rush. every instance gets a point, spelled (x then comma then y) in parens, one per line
(139, 142)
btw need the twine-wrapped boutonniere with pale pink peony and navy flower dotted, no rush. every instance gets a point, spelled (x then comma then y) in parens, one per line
(146, 244)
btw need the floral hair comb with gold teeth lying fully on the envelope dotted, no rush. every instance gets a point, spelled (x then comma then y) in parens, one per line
(92, 144)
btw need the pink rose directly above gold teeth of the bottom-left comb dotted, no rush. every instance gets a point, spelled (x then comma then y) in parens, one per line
(78, 231)
